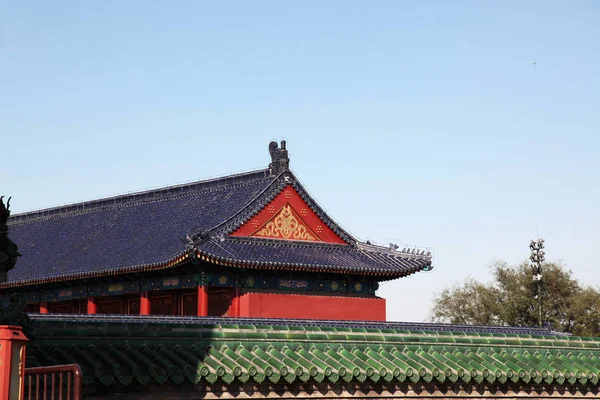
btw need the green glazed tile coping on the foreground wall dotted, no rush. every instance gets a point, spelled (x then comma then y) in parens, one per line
(129, 353)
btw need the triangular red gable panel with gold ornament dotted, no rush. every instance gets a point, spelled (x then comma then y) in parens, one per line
(288, 217)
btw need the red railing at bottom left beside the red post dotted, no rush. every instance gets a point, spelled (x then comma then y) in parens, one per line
(59, 382)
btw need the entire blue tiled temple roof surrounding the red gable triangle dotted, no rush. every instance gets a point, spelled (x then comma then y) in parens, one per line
(154, 228)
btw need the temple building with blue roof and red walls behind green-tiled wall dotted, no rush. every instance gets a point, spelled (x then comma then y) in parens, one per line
(249, 245)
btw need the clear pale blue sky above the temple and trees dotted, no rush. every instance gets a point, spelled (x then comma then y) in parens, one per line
(418, 122)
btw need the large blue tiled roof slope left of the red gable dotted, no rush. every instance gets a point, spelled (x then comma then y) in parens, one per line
(138, 229)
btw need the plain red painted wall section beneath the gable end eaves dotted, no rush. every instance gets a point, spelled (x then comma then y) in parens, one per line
(269, 305)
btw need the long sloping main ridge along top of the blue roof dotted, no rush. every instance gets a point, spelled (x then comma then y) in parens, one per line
(136, 197)
